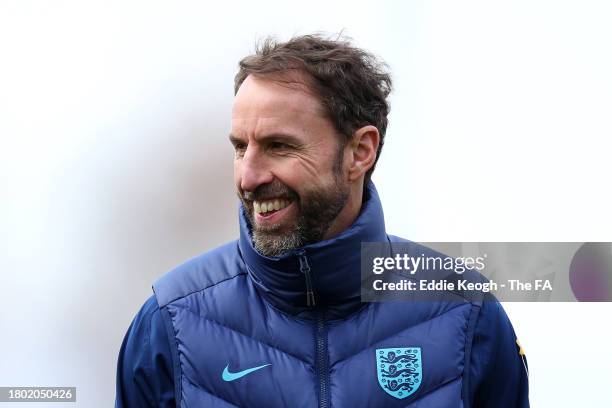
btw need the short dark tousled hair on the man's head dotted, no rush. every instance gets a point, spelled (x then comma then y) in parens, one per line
(352, 84)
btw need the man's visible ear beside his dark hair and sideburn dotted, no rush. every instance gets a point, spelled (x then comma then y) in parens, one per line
(362, 149)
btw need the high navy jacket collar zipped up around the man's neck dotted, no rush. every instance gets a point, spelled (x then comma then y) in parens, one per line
(334, 265)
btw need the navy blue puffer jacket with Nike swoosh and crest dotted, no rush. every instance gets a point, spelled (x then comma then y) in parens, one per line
(232, 328)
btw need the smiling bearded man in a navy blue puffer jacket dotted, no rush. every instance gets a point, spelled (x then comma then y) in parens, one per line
(274, 319)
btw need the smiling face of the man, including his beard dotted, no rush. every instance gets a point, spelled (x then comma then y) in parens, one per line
(287, 167)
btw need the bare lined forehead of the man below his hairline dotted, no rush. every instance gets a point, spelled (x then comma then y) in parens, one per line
(276, 102)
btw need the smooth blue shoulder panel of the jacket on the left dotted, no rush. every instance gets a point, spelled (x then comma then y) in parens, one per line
(205, 270)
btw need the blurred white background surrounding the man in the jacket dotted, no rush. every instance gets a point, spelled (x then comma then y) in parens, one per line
(115, 167)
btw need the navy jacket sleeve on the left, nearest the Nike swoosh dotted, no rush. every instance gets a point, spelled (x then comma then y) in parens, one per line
(144, 367)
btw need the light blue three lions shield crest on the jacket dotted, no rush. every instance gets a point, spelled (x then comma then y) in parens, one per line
(399, 370)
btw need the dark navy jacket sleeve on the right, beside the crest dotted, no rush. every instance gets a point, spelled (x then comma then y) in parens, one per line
(498, 366)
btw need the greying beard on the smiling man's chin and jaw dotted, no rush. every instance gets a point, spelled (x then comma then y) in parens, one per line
(318, 210)
